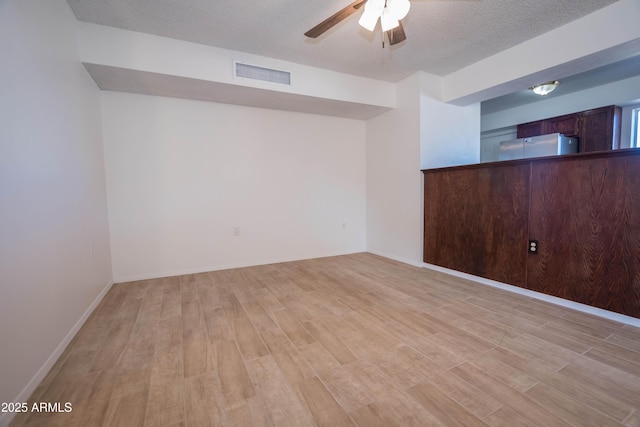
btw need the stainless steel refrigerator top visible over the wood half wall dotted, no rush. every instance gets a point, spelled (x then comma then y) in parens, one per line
(537, 146)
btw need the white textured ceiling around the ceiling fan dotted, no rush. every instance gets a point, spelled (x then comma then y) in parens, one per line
(442, 35)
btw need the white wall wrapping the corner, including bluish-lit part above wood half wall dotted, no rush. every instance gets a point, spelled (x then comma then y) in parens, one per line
(422, 132)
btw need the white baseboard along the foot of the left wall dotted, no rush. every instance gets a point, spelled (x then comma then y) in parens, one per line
(24, 395)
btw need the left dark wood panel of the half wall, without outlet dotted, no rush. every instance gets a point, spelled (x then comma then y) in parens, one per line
(475, 220)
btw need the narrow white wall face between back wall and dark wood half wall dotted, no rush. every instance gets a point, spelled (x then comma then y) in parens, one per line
(394, 180)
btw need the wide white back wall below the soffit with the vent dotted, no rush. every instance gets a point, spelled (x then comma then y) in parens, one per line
(181, 174)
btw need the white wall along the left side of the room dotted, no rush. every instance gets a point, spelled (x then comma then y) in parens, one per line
(52, 192)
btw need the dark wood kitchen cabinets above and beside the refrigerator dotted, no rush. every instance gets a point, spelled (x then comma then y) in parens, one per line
(597, 129)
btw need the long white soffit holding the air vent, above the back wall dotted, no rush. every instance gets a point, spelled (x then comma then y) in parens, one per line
(124, 60)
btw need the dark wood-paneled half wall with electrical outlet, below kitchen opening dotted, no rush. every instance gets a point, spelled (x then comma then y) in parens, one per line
(567, 226)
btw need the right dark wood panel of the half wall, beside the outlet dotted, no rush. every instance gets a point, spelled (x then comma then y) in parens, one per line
(585, 212)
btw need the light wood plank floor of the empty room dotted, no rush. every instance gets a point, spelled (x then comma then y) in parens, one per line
(349, 340)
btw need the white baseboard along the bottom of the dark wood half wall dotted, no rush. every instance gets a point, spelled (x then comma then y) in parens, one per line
(606, 314)
